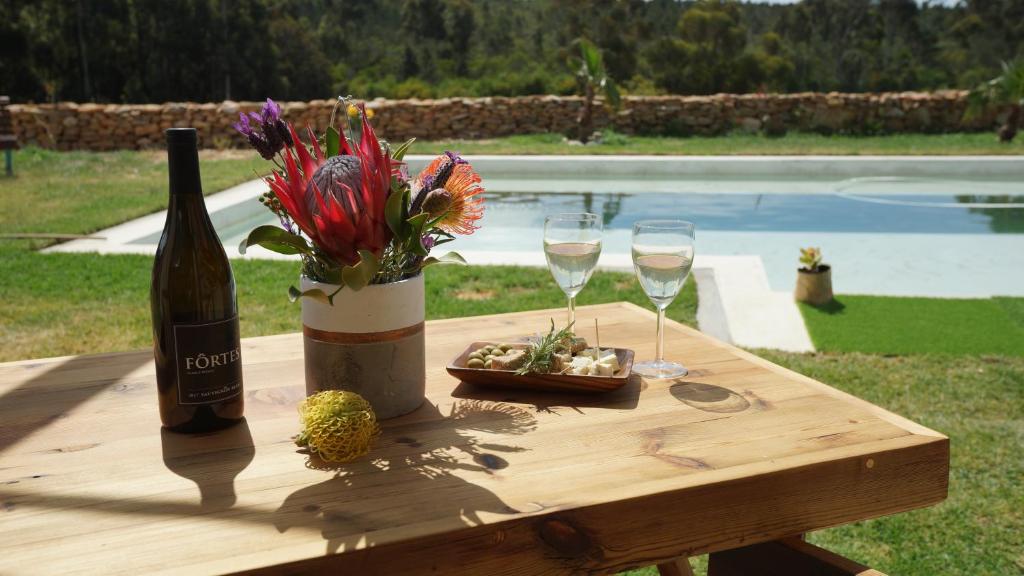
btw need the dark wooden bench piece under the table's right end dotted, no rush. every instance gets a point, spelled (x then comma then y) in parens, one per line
(785, 558)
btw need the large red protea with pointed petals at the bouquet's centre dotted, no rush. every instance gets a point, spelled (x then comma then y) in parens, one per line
(338, 202)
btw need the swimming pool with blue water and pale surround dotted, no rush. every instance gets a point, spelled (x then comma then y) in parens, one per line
(926, 226)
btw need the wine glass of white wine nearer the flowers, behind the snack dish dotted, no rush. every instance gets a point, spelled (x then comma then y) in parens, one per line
(573, 245)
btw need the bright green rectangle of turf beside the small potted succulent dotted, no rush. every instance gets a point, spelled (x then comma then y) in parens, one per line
(913, 326)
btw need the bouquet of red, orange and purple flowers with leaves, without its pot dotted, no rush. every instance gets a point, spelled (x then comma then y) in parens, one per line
(348, 207)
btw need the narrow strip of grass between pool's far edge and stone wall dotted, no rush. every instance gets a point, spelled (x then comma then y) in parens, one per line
(739, 144)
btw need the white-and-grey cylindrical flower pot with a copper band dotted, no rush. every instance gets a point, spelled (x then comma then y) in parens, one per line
(370, 342)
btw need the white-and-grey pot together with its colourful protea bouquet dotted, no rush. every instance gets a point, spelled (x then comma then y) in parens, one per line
(365, 232)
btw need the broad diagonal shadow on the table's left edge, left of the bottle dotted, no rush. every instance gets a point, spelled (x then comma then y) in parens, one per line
(50, 401)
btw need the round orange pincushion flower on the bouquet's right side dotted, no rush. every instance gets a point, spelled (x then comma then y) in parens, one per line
(450, 190)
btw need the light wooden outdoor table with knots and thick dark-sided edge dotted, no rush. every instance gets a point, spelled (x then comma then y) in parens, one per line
(741, 451)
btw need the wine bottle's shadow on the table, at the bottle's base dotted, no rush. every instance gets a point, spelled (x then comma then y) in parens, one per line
(211, 461)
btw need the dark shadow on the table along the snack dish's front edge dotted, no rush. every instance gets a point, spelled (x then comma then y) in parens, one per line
(625, 398)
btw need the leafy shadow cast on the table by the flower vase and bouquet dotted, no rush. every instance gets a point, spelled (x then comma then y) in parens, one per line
(419, 472)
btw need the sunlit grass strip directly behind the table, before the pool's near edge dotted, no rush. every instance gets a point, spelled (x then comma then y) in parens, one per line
(62, 304)
